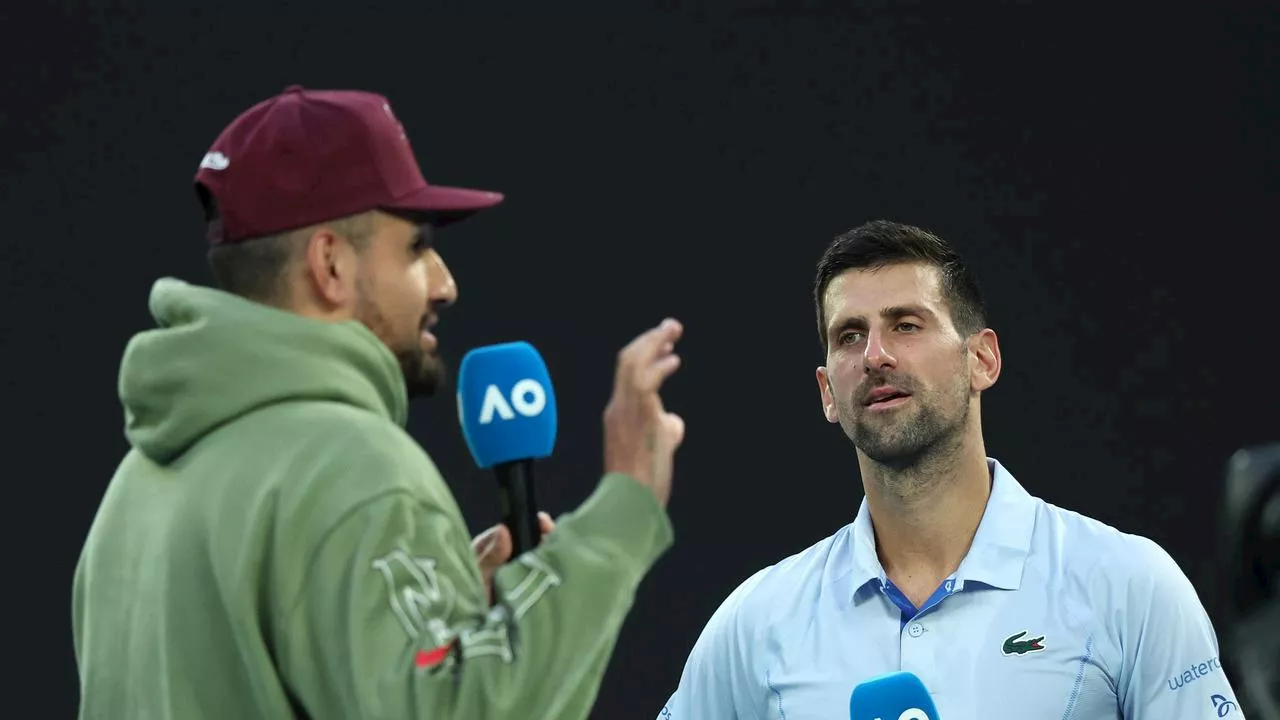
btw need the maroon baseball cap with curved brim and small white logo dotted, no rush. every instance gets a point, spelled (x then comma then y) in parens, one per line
(307, 157)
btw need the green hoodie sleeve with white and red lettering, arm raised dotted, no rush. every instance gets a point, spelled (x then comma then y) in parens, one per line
(394, 621)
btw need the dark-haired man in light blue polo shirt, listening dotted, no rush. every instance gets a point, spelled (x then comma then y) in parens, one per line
(1004, 605)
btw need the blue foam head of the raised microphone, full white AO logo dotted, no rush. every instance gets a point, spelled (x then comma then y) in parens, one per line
(506, 404)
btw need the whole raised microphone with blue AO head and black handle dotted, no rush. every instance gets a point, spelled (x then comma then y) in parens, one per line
(508, 409)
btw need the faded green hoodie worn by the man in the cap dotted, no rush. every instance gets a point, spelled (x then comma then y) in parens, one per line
(276, 545)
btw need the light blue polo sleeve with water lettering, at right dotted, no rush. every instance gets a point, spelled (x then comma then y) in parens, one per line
(1171, 667)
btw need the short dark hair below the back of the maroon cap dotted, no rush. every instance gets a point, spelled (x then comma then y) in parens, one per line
(257, 268)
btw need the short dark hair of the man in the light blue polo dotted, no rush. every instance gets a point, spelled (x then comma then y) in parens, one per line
(884, 243)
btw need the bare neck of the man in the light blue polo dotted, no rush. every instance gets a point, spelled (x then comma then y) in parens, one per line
(926, 514)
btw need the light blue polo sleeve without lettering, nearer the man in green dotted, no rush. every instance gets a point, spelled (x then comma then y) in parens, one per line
(717, 680)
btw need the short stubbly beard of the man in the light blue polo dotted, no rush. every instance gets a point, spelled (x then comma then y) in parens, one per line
(908, 436)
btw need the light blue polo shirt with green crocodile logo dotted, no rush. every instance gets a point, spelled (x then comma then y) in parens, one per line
(1052, 616)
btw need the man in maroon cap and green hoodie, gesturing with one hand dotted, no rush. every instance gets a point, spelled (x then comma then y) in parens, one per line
(275, 544)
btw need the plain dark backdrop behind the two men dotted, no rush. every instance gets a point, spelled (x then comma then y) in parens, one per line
(1112, 179)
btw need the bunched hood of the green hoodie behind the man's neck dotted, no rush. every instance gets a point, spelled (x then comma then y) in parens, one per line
(217, 357)
